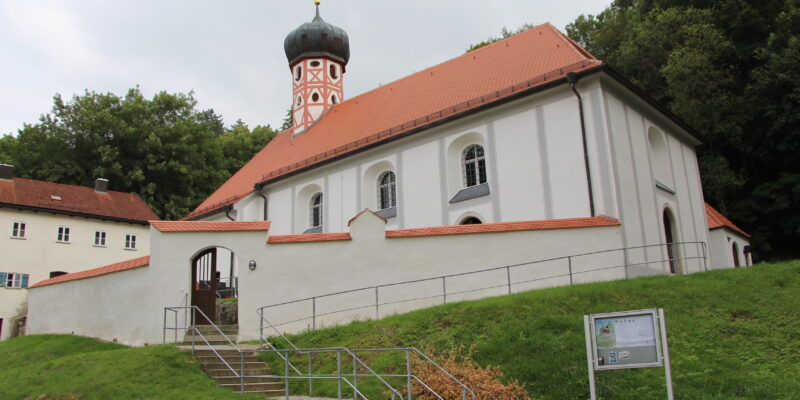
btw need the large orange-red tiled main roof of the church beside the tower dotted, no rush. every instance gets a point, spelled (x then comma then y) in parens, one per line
(471, 81)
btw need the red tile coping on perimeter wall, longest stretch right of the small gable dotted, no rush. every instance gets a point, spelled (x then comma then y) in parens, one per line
(566, 223)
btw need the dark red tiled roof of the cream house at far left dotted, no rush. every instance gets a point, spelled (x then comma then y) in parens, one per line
(56, 197)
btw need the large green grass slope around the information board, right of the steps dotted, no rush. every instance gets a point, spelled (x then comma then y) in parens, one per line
(733, 334)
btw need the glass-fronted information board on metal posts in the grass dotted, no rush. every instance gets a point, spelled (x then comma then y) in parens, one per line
(626, 340)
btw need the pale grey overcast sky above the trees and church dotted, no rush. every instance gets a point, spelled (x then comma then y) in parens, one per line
(230, 52)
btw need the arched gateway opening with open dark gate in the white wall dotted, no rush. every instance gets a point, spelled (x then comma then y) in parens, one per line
(215, 282)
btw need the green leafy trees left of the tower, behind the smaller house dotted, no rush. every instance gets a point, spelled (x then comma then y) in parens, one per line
(164, 149)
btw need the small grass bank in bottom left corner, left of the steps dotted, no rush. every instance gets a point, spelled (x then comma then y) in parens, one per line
(70, 367)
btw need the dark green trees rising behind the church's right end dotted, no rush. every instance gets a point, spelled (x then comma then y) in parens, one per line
(730, 69)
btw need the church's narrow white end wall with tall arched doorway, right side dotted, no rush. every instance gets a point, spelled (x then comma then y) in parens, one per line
(648, 183)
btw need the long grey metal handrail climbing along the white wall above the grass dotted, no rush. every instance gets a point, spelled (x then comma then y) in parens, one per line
(509, 284)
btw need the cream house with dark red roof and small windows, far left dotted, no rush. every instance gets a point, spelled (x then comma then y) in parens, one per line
(50, 229)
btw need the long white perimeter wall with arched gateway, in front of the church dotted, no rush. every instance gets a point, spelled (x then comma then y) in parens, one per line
(129, 305)
